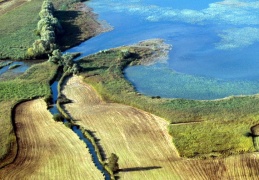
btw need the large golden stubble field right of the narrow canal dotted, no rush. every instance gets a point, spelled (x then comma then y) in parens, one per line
(142, 143)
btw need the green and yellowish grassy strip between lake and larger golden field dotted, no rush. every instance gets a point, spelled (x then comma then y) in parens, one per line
(199, 128)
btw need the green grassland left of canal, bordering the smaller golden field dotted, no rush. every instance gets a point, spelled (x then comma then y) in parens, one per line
(33, 83)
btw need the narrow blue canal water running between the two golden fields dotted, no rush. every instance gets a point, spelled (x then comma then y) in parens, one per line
(77, 130)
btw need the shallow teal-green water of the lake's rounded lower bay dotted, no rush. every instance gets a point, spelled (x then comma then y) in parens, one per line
(158, 80)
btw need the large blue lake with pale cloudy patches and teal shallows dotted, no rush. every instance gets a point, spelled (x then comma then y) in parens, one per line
(215, 43)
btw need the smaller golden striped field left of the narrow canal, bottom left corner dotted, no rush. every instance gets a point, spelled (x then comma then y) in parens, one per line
(47, 149)
